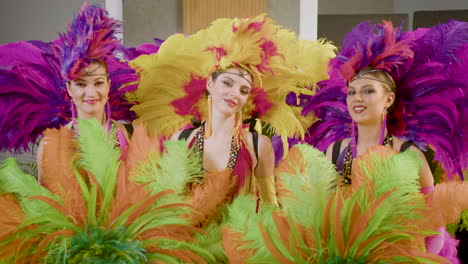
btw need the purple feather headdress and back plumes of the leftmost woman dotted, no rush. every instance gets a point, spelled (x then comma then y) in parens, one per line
(33, 76)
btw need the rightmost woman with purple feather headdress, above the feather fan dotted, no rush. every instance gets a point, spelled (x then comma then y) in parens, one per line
(405, 90)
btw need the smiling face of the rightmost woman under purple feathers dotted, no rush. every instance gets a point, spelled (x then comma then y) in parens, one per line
(367, 100)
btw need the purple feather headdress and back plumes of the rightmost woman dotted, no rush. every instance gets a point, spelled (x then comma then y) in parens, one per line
(430, 97)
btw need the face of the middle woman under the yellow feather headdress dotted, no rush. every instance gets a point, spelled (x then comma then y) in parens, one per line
(230, 90)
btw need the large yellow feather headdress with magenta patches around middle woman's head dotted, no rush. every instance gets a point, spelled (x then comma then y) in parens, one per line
(279, 62)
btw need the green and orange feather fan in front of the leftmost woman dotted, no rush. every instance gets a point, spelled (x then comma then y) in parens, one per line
(90, 211)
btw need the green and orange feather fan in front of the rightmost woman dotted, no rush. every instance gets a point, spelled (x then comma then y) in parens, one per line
(381, 218)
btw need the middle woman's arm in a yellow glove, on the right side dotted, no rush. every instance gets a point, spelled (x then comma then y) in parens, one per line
(264, 172)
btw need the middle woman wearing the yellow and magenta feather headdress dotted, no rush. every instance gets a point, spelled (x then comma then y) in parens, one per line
(233, 72)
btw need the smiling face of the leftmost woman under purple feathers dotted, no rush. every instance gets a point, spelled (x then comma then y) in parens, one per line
(90, 92)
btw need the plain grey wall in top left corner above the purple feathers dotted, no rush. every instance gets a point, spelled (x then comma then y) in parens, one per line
(37, 19)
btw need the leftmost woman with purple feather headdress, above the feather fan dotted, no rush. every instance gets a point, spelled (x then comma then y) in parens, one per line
(46, 85)
